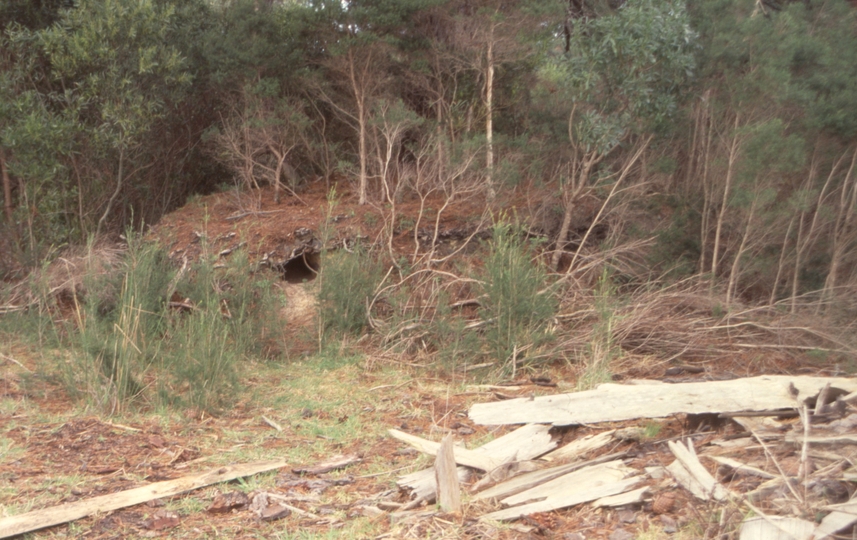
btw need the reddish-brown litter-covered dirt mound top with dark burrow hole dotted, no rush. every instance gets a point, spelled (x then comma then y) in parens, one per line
(288, 236)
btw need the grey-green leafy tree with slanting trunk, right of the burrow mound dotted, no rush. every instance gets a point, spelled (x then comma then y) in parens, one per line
(621, 75)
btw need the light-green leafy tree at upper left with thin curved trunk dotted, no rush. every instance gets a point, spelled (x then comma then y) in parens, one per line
(123, 74)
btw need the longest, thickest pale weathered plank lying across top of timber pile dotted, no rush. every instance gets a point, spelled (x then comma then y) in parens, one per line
(613, 402)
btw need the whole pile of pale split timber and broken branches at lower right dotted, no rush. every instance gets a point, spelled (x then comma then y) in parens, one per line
(792, 456)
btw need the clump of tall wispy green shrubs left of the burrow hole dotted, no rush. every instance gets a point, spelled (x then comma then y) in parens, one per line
(137, 332)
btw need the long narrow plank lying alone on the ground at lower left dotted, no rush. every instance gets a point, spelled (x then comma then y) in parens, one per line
(47, 517)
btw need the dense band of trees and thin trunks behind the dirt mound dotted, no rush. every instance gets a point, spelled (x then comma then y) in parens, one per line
(738, 113)
